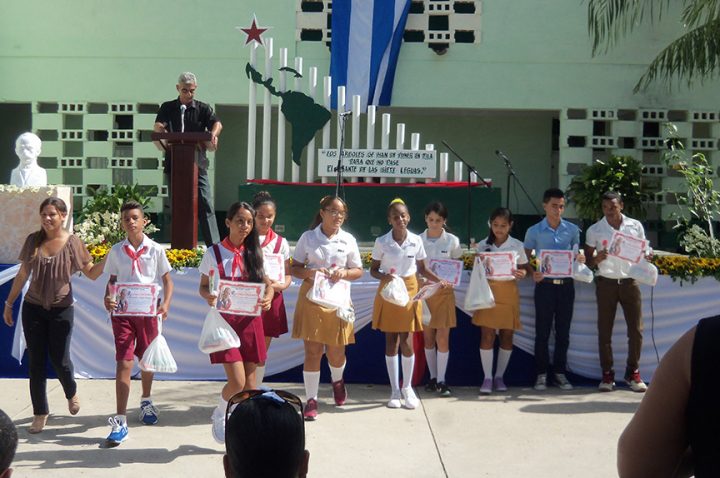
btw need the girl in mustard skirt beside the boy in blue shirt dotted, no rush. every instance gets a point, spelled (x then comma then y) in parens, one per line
(505, 316)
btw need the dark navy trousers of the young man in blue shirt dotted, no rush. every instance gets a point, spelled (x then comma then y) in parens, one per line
(553, 303)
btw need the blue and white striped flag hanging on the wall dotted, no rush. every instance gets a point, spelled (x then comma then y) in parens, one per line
(366, 38)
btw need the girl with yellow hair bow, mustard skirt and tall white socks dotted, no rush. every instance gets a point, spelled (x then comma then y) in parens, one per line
(399, 253)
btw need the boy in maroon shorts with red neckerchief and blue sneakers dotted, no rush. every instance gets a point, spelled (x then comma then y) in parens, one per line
(140, 260)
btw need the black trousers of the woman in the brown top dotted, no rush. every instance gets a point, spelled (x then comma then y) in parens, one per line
(47, 333)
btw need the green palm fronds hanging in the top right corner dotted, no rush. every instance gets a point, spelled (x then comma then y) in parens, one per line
(693, 55)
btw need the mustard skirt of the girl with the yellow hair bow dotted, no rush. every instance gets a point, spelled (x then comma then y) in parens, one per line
(389, 317)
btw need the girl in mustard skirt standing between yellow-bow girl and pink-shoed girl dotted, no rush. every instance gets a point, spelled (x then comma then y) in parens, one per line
(439, 244)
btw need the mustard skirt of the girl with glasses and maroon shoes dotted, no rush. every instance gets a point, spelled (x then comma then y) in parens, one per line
(315, 323)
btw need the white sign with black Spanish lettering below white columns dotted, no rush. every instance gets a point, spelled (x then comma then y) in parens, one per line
(381, 163)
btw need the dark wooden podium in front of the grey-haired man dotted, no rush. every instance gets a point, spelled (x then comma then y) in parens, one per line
(184, 149)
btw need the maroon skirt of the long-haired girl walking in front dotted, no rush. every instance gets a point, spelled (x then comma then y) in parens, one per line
(252, 341)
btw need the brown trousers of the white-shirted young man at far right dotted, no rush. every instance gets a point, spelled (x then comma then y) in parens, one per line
(627, 293)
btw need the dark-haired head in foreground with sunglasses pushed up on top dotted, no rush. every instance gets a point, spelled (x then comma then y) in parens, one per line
(265, 436)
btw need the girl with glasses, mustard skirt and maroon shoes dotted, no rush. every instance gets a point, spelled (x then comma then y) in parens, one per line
(325, 248)
